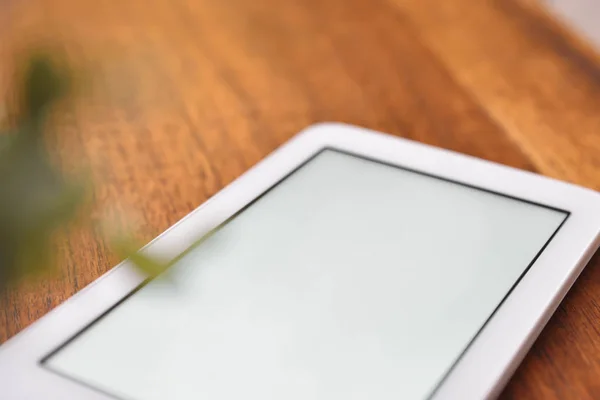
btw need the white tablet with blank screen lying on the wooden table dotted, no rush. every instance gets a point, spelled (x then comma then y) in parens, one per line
(346, 265)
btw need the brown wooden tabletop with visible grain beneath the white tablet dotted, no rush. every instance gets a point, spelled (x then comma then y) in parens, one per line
(185, 95)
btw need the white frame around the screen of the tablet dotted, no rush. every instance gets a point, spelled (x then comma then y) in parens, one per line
(480, 372)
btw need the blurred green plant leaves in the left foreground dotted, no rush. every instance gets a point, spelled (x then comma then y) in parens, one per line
(36, 199)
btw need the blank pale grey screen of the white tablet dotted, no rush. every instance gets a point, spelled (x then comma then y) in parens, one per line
(349, 279)
